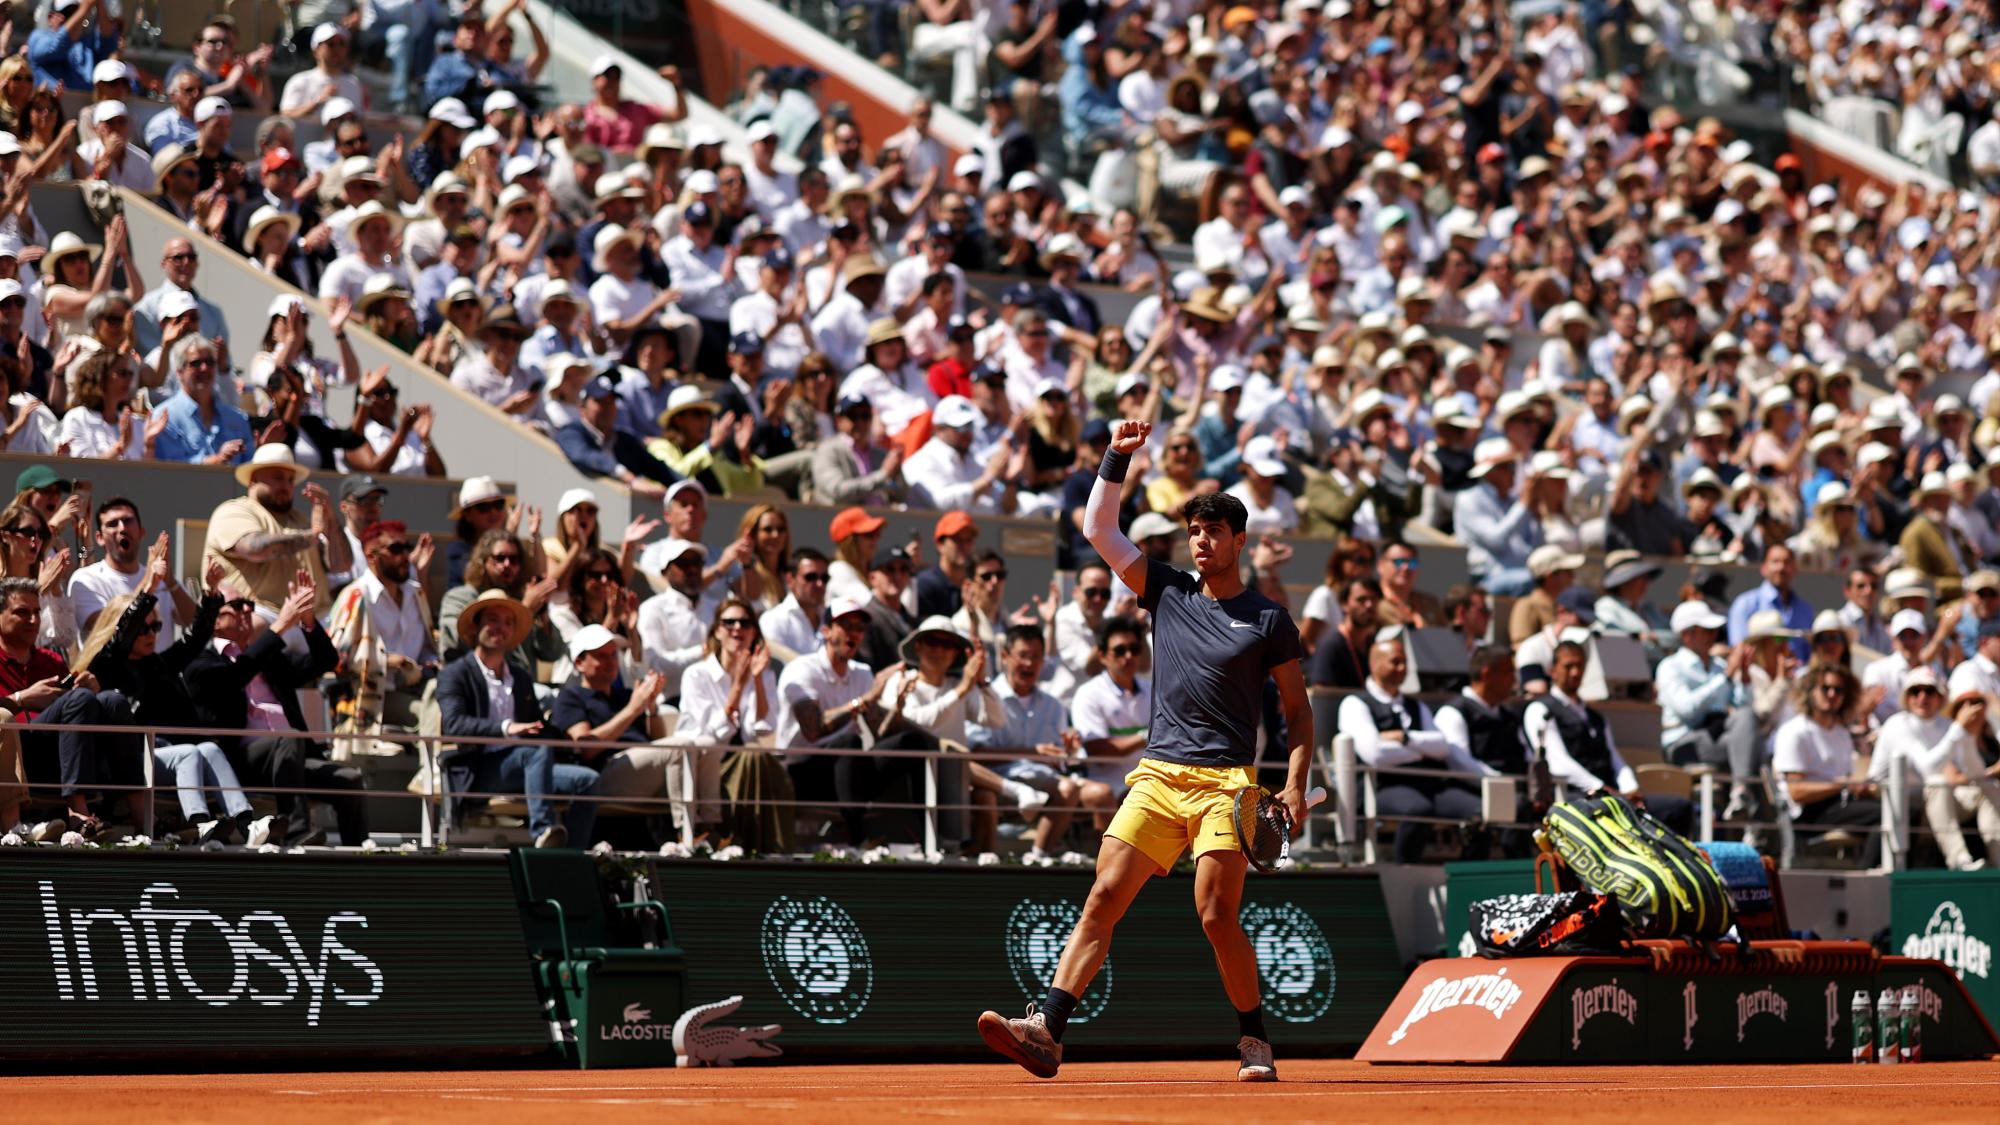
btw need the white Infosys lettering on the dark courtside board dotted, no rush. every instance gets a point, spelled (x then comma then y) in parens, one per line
(97, 950)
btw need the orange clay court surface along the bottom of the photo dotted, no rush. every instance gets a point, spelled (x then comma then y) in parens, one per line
(1087, 1092)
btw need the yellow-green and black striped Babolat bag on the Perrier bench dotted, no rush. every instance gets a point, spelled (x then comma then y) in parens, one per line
(1663, 884)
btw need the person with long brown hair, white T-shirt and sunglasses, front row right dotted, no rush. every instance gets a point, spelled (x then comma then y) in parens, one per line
(1815, 758)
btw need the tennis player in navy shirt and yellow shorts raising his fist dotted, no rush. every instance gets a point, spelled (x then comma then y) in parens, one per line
(1215, 646)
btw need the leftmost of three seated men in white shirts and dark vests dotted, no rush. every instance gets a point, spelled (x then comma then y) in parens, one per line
(1399, 734)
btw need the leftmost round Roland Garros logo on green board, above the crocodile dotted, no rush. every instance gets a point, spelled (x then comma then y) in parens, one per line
(817, 958)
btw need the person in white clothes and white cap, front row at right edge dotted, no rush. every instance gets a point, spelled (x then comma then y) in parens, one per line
(1945, 758)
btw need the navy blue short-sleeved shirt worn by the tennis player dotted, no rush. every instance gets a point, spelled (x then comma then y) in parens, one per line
(1209, 668)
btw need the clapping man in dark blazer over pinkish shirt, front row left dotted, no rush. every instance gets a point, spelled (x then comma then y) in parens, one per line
(249, 682)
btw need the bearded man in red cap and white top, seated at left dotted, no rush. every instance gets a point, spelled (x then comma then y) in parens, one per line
(381, 628)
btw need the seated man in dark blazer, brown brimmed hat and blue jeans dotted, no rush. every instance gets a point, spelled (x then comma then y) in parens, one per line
(479, 696)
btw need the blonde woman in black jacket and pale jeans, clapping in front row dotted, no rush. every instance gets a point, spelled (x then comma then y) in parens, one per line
(125, 656)
